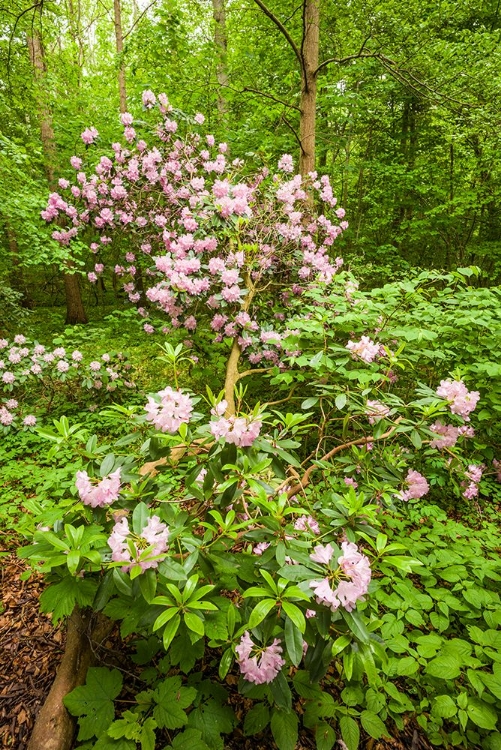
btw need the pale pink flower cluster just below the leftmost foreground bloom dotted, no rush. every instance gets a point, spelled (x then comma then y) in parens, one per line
(128, 548)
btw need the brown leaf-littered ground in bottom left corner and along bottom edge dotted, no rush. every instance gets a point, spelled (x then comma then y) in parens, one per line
(32, 649)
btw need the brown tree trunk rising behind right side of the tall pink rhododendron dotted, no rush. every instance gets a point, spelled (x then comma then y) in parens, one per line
(308, 105)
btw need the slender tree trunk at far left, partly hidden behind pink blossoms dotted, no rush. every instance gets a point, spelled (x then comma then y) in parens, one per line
(75, 312)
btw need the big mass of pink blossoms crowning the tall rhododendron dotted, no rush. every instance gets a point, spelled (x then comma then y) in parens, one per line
(170, 197)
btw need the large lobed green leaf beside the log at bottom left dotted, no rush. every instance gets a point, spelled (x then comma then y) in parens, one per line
(94, 701)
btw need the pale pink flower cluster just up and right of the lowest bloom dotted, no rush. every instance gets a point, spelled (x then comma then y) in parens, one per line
(352, 576)
